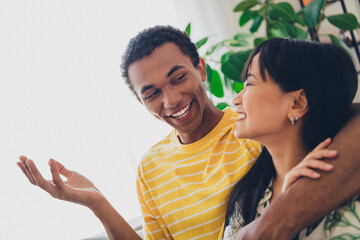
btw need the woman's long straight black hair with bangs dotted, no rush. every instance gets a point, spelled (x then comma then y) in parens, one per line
(328, 77)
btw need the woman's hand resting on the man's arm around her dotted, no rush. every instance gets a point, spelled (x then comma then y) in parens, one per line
(312, 161)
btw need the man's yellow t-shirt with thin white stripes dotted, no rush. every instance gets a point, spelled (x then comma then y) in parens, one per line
(183, 189)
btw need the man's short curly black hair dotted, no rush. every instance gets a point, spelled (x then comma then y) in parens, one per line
(146, 41)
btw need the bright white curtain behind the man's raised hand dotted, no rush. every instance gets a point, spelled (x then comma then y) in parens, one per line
(62, 97)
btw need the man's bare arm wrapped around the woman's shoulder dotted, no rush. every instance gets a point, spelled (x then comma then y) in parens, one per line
(308, 200)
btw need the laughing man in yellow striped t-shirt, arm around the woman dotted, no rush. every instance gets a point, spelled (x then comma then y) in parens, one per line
(184, 181)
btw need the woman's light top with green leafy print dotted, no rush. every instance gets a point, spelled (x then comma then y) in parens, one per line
(341, 224)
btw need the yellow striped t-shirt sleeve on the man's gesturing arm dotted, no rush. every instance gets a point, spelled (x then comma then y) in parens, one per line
(154, 227)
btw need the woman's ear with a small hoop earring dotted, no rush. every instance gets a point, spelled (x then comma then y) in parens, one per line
(299, 105)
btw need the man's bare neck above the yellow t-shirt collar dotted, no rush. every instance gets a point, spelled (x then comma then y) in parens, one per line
(211, 117)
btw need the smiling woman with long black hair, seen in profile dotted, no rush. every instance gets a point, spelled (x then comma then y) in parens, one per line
(296, 94)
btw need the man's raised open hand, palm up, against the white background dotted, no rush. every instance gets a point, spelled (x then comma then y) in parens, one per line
(76, 188)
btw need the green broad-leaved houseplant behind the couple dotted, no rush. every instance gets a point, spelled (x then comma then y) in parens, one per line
(277, 20)
